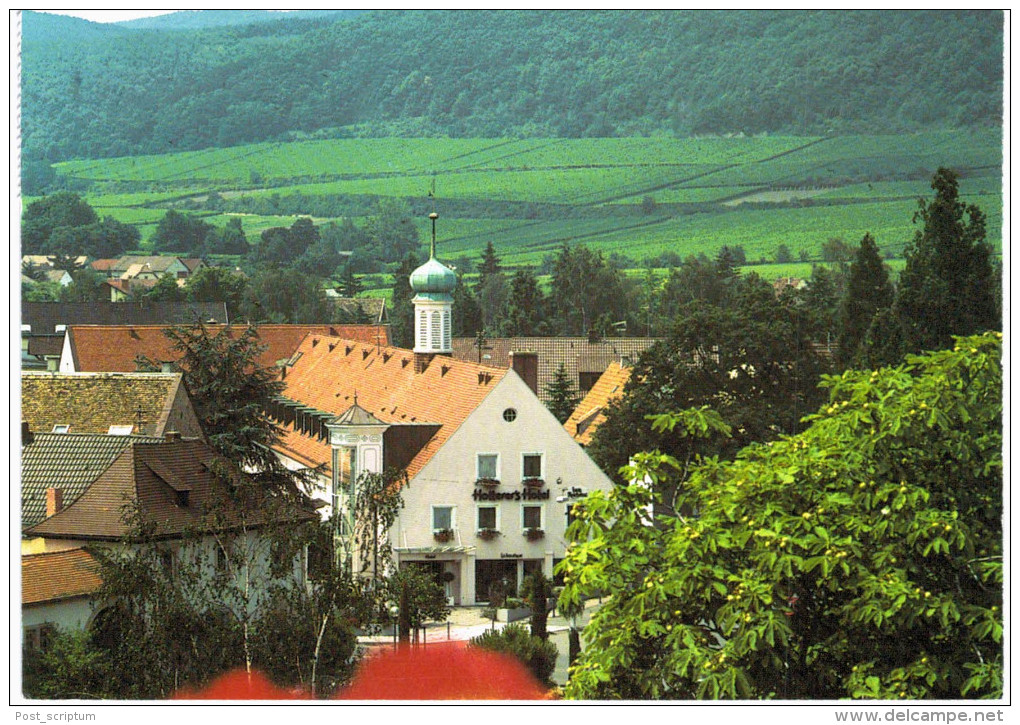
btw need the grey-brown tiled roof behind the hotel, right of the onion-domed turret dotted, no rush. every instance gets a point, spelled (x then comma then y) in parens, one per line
(578, 355)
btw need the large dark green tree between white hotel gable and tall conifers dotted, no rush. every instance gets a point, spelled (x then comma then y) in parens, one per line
(751, 362)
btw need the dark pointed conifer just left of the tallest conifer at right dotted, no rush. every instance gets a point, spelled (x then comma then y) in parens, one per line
(869, 291)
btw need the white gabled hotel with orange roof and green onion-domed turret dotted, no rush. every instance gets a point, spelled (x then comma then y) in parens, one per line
(491, 474)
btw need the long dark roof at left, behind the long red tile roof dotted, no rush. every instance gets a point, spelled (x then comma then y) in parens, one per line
(45, 317)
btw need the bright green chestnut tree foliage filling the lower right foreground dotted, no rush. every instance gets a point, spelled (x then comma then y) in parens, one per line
(860, 558)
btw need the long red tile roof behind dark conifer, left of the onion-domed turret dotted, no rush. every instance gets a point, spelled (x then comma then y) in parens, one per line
(115, 348)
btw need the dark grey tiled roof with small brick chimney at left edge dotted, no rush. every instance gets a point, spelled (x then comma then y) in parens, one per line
(67, 461)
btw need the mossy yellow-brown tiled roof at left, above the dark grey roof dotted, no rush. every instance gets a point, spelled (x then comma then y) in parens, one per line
(91, 403)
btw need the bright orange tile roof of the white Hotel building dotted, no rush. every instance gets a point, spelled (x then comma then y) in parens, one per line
(329, 373)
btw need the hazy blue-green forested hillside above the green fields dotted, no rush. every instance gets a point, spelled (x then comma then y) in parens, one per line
(532, 74)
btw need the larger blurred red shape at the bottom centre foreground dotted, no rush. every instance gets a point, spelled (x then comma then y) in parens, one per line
(443, 671)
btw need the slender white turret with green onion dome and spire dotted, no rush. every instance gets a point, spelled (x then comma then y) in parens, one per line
(433, 285)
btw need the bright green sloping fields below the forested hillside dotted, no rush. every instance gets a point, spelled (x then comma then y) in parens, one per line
(637, 197)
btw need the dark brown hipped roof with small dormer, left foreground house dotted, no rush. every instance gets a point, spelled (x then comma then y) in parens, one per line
(148, 481)
